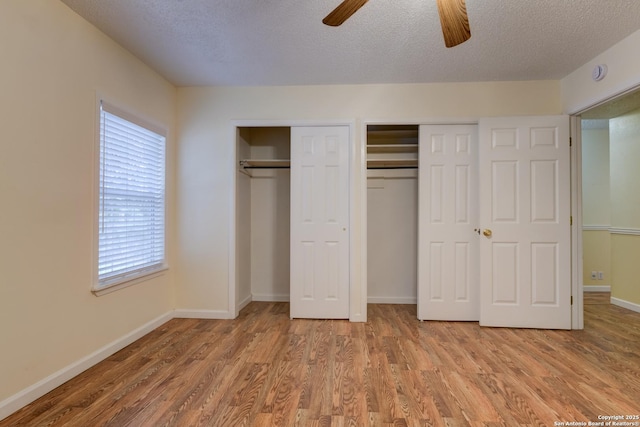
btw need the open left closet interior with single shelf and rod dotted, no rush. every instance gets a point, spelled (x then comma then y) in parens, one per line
(263, 213)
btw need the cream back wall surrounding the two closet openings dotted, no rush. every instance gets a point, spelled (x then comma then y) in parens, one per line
(206, 170)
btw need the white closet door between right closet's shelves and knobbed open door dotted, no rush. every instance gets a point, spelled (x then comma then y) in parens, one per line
(448, 282)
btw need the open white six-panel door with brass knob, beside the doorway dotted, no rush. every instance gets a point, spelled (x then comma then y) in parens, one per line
(525, 255)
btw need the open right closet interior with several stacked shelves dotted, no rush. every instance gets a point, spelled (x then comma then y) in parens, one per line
(392, 213)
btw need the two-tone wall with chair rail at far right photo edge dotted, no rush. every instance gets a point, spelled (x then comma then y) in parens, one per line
(625, 207)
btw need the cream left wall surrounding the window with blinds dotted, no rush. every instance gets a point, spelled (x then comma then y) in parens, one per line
(53, 63)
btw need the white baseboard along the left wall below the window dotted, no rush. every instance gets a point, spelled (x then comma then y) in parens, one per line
(44, 386)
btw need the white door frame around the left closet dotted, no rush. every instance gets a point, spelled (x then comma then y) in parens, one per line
(234, 306)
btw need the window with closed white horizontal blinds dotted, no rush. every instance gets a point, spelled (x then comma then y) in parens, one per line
(131, 211)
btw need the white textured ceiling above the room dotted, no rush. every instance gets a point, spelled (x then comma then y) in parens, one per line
(283, 42)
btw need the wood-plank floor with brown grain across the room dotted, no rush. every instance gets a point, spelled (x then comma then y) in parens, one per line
(264, 369)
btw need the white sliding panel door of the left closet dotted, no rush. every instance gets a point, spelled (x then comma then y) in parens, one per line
(319, 219)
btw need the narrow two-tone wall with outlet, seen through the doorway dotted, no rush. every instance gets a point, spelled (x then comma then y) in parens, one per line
(596, 206)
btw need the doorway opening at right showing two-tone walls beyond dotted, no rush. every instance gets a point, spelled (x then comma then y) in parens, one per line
(611, 218)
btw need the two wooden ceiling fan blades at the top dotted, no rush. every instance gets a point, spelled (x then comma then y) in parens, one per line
(453, 18)
